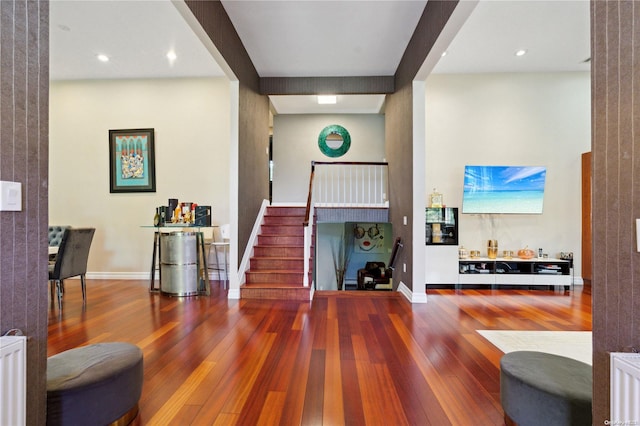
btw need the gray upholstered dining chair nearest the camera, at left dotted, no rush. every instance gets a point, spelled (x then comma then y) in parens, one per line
(71, 260)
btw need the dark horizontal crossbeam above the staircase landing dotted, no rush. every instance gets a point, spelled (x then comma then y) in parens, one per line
(328, 85)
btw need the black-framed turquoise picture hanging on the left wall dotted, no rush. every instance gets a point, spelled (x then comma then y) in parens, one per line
(132, 166)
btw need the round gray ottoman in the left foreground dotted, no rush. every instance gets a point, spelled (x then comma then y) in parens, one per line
(94, 385)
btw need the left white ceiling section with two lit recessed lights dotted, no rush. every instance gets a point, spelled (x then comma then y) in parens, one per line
(136, 35)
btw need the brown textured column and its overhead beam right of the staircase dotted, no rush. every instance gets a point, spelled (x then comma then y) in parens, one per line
(399, 131)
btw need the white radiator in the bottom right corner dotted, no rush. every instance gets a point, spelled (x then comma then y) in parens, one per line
(625, 388)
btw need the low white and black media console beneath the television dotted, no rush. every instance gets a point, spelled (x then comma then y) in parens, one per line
(515, 271)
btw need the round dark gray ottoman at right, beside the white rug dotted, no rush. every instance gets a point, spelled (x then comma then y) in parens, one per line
(538, 388)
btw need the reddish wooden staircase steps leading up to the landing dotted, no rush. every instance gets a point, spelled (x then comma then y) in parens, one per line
(277, 268)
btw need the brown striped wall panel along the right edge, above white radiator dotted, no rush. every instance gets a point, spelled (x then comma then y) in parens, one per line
(615, 41)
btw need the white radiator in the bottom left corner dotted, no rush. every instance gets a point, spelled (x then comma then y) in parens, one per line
(13, 380)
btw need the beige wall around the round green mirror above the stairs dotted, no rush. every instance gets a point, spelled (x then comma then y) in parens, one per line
(295, 145)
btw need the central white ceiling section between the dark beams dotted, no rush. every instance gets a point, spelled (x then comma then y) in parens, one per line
(325, 38)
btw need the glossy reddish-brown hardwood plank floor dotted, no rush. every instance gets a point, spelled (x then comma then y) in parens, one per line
(356, 358)
